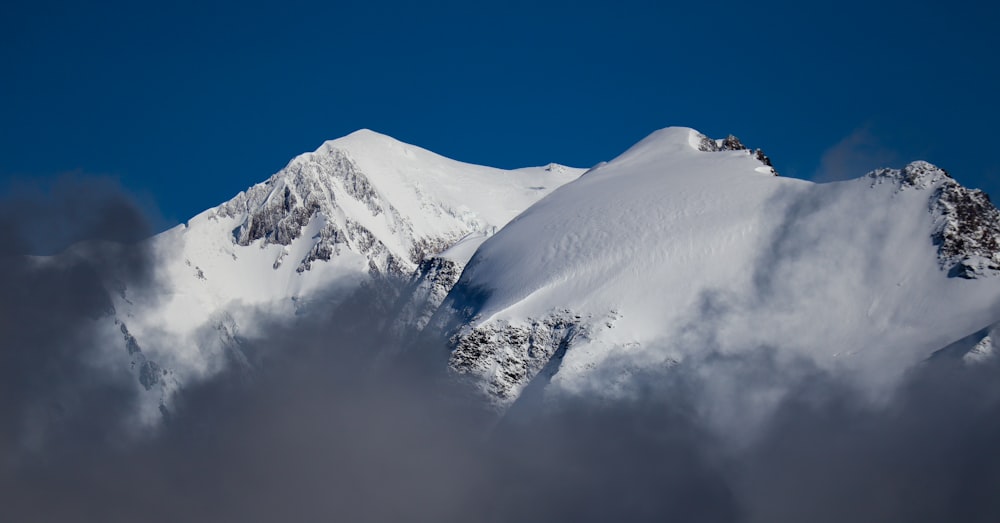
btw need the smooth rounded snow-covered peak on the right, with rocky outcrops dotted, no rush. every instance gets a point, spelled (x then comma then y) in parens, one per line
(674, 250)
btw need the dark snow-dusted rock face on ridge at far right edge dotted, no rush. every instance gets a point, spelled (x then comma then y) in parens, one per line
(966, 226)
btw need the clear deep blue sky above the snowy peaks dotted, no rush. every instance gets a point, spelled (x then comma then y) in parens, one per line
(190, 102)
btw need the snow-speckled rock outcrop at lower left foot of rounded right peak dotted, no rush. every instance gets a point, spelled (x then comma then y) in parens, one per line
(501, 357)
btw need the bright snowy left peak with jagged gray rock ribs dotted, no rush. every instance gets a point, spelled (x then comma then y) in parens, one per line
(361, 205)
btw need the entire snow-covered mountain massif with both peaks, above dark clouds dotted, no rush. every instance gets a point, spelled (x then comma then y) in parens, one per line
(570, 282)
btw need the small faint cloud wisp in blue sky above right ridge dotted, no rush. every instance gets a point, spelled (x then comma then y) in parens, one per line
(858, 153)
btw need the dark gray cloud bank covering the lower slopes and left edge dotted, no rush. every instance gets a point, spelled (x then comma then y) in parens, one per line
(325, 430)
